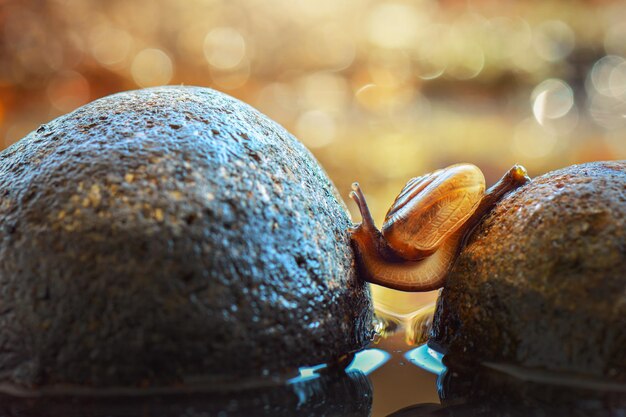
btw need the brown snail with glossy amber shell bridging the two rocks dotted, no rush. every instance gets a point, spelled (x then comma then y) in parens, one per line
(425, 227)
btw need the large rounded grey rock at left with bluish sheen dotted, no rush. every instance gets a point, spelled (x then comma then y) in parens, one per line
(158, 235)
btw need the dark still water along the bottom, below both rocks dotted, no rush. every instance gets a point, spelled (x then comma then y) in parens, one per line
(389, 379)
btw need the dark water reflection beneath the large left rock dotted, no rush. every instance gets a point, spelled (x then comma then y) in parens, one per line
(329, 395)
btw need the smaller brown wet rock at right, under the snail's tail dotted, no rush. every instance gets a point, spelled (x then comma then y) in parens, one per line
(542, 283)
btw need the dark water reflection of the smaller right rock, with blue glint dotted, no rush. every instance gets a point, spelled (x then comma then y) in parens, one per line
(500, 389)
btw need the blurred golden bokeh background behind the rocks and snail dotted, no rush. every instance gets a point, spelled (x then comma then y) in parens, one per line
(379, 91)
